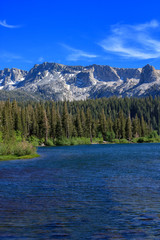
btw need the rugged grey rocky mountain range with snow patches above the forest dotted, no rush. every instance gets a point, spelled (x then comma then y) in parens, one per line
(60, 82)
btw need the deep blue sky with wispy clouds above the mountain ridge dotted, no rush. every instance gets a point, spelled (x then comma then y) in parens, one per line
(117, 33)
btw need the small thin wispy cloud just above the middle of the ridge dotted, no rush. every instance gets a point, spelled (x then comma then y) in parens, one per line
(77, 54)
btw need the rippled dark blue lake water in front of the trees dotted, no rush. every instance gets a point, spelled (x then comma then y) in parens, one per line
(82, 192)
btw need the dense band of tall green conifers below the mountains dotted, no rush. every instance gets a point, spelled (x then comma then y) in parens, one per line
(107, 118)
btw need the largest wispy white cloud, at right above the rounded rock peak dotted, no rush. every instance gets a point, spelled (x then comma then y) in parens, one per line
(133, 41)
